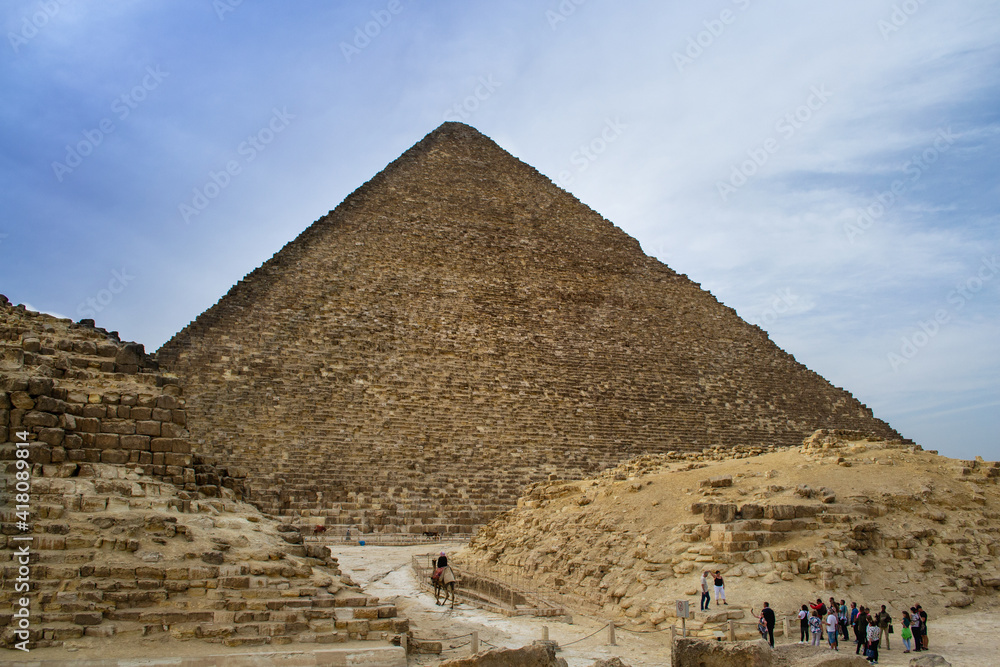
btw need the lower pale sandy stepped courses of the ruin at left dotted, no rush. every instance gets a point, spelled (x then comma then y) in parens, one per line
(115, 553)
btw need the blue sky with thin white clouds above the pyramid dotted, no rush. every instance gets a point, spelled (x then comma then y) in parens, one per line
(829, 170)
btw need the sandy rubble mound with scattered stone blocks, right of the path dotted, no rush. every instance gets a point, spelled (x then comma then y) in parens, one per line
(842, 516)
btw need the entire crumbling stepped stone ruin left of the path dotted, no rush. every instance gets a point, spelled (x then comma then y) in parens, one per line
(132, 535)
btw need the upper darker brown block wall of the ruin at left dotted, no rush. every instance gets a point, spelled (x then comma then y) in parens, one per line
(85, 407)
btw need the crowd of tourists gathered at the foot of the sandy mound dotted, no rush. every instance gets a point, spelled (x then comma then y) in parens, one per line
(871, 630)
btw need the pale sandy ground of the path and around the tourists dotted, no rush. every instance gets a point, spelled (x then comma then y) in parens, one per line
(966, 640)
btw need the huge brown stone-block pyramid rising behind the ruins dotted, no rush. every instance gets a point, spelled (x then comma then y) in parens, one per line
(459, 327)
